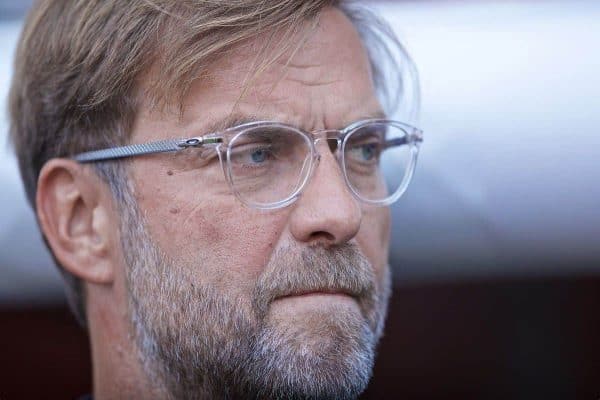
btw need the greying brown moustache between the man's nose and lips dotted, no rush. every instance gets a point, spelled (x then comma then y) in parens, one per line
(292, 271)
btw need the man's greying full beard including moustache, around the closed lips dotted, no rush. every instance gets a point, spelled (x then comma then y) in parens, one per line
(199, 343)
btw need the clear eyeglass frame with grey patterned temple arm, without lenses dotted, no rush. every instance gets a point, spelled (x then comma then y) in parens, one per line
(413, 138)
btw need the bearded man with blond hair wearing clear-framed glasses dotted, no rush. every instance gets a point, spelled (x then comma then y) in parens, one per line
(207, 175)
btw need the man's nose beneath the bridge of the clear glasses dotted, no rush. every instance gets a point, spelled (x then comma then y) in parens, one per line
(327, 213)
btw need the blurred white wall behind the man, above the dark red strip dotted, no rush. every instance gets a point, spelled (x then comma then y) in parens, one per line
(507, 181)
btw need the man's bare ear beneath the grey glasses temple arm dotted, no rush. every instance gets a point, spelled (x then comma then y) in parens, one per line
(74, 208)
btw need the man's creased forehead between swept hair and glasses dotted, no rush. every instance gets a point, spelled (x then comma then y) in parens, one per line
(323, 80)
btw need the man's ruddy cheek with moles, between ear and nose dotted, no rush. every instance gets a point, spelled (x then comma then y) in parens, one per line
(215, 237)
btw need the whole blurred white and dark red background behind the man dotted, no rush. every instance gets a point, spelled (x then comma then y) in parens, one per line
(496, 245)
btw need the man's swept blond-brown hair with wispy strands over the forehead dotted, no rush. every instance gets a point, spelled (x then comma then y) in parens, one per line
(79, 64)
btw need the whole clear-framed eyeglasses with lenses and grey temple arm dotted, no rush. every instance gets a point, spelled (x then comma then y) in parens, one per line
(268, 164)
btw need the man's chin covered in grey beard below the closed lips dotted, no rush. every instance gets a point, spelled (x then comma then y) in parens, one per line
(325, 354)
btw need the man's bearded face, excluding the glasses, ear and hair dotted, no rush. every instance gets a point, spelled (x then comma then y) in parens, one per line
(226, 299)
